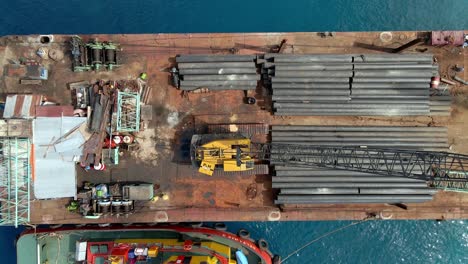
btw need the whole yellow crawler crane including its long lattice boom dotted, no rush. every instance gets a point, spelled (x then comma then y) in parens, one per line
(442, 170)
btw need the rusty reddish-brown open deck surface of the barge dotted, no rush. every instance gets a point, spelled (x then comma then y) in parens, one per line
(194, 197)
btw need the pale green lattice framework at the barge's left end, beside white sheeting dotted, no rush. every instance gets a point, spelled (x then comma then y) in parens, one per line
(15, 185)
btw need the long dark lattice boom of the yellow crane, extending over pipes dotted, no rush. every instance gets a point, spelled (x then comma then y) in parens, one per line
(440, 169)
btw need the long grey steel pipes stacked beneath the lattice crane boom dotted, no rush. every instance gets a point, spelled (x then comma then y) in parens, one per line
(313, 185)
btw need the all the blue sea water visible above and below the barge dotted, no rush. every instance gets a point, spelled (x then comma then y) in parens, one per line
(369, 242)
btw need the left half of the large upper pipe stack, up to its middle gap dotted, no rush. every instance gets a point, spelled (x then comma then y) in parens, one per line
(308, 83)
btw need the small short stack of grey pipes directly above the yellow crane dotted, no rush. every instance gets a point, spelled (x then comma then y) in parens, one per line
(217, 72)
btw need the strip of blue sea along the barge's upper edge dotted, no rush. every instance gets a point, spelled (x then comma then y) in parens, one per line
(143, 16)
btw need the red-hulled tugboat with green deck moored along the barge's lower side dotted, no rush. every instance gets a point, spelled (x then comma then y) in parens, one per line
(169, 244)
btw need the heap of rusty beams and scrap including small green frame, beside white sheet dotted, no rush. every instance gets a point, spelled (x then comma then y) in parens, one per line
(112, 109)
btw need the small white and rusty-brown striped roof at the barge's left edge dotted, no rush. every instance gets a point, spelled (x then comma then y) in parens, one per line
(21, 106)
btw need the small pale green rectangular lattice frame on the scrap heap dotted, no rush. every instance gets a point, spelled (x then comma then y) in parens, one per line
(128, 112)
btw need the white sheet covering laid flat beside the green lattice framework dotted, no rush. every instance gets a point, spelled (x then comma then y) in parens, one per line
(54, 168)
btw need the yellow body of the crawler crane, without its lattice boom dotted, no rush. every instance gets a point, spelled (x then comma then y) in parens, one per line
(226, 151)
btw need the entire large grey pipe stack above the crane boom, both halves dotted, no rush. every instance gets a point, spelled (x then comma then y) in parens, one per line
(388, 84)
